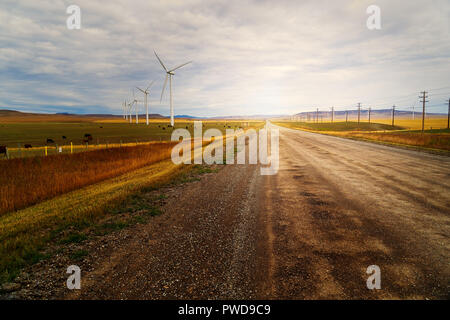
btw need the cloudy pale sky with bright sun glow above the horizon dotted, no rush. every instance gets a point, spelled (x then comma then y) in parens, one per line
(249, 57)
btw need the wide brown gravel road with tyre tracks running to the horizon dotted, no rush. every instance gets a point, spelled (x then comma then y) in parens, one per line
(335, 207)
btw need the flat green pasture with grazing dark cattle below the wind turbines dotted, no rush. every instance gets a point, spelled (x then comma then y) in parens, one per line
(105, 134)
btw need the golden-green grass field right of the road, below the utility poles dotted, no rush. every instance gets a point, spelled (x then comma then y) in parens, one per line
(405, 134)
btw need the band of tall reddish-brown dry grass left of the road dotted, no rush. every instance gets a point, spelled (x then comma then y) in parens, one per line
(27, 181)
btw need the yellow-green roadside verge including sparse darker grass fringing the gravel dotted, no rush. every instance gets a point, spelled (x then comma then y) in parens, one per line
(35, 233)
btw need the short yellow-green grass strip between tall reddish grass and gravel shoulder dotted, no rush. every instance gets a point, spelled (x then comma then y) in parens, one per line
(24, 234)
